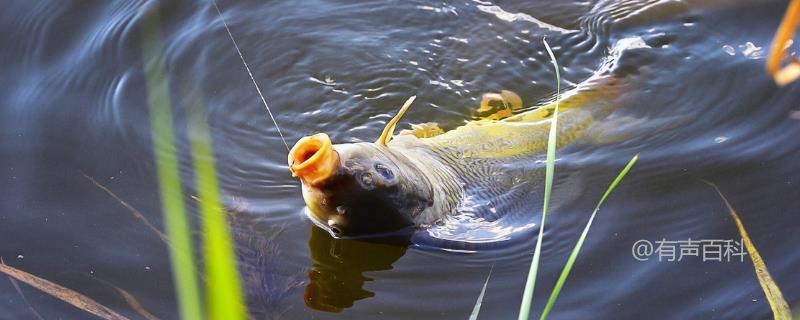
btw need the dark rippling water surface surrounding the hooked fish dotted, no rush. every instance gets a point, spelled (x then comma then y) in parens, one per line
(73, 99)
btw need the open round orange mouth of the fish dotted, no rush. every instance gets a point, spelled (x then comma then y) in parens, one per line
(313, 159)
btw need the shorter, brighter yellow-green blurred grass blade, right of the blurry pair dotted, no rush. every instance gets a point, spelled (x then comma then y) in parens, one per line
(223, 289)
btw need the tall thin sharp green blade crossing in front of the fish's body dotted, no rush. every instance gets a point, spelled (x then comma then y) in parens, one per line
(527, 296)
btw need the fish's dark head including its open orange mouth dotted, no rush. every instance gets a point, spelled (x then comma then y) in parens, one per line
(359, 189)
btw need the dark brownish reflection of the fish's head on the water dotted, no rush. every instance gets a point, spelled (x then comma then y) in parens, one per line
(336, 279)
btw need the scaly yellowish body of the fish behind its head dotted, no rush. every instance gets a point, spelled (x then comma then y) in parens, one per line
(484, 159)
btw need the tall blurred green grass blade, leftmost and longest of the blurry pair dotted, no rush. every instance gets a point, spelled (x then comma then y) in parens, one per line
(169, 181)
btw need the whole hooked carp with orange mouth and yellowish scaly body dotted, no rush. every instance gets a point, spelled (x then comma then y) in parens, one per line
(413, 181)
